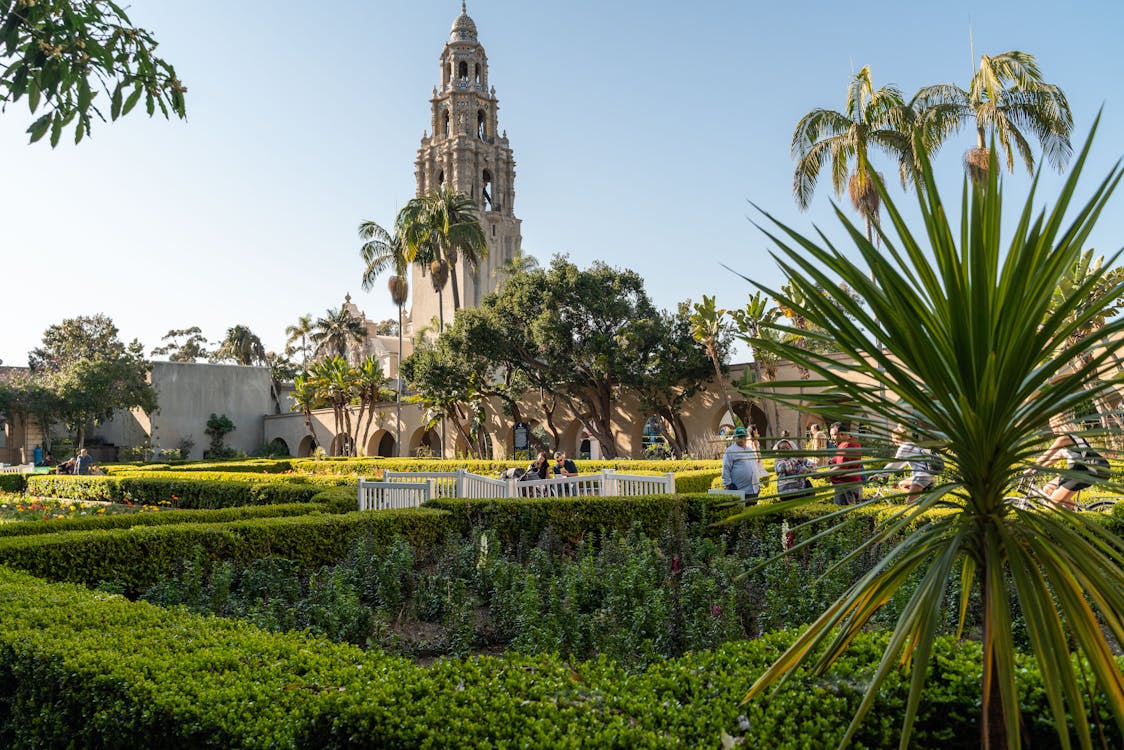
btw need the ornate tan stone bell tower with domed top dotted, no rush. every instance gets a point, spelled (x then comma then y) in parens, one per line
(467, 152)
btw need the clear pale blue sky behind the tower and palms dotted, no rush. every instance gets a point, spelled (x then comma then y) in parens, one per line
(640, 130)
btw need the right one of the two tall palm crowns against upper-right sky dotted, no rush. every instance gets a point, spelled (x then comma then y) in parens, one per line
(1008, 101)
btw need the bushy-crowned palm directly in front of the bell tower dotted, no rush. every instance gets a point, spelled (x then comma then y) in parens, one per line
(440, 229)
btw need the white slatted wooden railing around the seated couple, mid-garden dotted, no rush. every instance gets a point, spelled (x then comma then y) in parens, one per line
(410, 490)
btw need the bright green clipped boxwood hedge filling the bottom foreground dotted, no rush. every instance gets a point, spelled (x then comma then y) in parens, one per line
(87, 670)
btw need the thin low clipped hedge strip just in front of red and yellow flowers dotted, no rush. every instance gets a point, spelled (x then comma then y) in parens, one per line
(165, 518)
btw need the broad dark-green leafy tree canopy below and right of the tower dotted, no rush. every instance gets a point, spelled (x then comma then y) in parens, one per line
(582, 337)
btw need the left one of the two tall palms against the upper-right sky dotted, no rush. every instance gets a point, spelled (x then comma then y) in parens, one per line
(872, 121)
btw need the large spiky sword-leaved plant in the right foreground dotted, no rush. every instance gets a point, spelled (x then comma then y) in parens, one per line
(969, 359)
